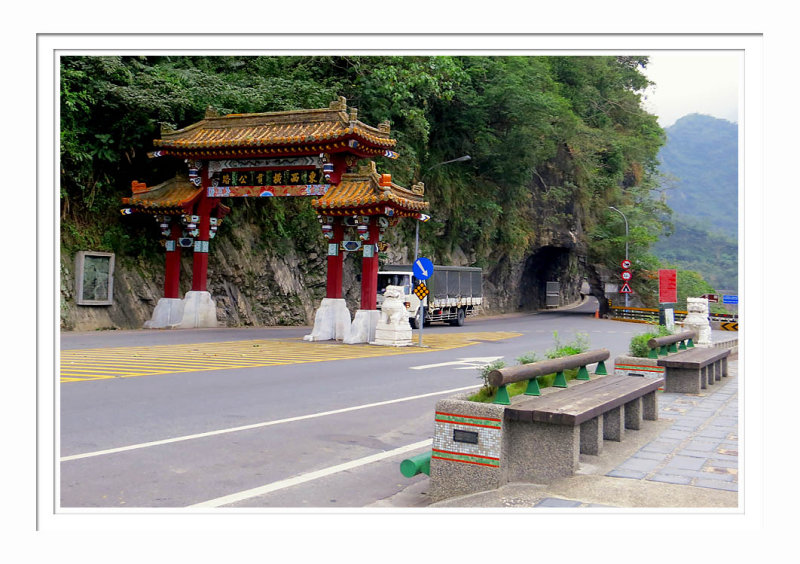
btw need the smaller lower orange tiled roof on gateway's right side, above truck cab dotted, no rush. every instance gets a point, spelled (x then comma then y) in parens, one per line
(368, 193)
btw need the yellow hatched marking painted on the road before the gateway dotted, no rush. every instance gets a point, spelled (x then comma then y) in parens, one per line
(123, 362)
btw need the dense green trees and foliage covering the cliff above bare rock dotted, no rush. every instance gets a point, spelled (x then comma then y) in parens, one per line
(554, 141)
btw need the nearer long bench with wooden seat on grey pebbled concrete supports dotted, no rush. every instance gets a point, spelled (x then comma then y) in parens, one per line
(548, 433)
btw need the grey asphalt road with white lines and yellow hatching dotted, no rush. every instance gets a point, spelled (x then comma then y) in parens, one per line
(260, 418)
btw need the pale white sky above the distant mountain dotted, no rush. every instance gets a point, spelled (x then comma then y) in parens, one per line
(687, 82)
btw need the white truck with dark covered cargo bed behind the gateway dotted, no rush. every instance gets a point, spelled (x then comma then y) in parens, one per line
(455, 292)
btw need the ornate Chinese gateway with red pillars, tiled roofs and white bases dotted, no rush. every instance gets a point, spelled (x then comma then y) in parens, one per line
(324, 154)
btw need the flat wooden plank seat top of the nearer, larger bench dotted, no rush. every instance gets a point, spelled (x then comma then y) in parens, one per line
(584, 401)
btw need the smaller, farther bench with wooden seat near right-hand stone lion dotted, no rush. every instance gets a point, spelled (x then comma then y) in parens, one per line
(692, 370)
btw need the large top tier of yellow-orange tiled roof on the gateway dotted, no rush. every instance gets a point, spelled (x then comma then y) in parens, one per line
(325, 129)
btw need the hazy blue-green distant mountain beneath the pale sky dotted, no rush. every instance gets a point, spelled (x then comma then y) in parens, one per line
(700, 161)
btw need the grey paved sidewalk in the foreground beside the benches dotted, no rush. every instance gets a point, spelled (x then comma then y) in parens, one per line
(688, 458)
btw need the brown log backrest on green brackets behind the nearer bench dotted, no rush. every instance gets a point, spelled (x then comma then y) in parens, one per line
(501, 377)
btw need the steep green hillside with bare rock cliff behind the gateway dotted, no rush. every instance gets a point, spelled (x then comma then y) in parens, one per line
(554, 141)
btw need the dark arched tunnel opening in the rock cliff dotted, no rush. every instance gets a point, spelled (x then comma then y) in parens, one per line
(547, 264)
